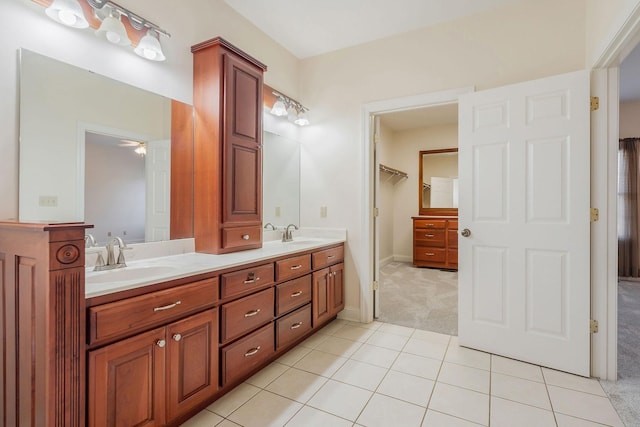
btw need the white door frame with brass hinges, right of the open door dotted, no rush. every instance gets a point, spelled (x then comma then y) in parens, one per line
(604, 190)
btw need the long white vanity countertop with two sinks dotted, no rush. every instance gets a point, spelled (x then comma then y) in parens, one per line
(161, 269)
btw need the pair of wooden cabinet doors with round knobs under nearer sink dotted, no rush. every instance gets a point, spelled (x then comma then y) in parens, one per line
(156, 376)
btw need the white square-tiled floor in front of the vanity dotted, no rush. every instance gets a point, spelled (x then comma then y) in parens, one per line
(351, 374)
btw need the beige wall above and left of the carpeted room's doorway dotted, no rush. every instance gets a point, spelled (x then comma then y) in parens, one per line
(519, 42)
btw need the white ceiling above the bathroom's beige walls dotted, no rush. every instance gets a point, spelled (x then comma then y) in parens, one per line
(313, 27)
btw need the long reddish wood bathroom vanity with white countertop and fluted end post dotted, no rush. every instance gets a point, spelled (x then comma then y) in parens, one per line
(174, 332)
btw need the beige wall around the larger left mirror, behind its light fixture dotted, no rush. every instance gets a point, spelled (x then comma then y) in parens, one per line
(24, 24)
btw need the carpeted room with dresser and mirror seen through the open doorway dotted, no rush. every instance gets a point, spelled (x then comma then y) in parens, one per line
(423, 144)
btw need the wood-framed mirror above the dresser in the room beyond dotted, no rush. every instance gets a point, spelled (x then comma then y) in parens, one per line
(438, 182)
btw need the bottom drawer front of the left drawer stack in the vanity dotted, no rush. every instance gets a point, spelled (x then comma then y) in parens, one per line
(246, 354)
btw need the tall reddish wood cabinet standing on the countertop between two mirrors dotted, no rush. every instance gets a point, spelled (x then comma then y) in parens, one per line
(227, 166)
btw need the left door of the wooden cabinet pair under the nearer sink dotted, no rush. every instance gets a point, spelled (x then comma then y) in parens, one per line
(127, 382)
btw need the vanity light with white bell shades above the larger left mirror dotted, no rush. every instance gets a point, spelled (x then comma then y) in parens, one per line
(108, 22)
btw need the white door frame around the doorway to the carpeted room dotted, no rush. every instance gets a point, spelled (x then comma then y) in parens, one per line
(432, 99)
